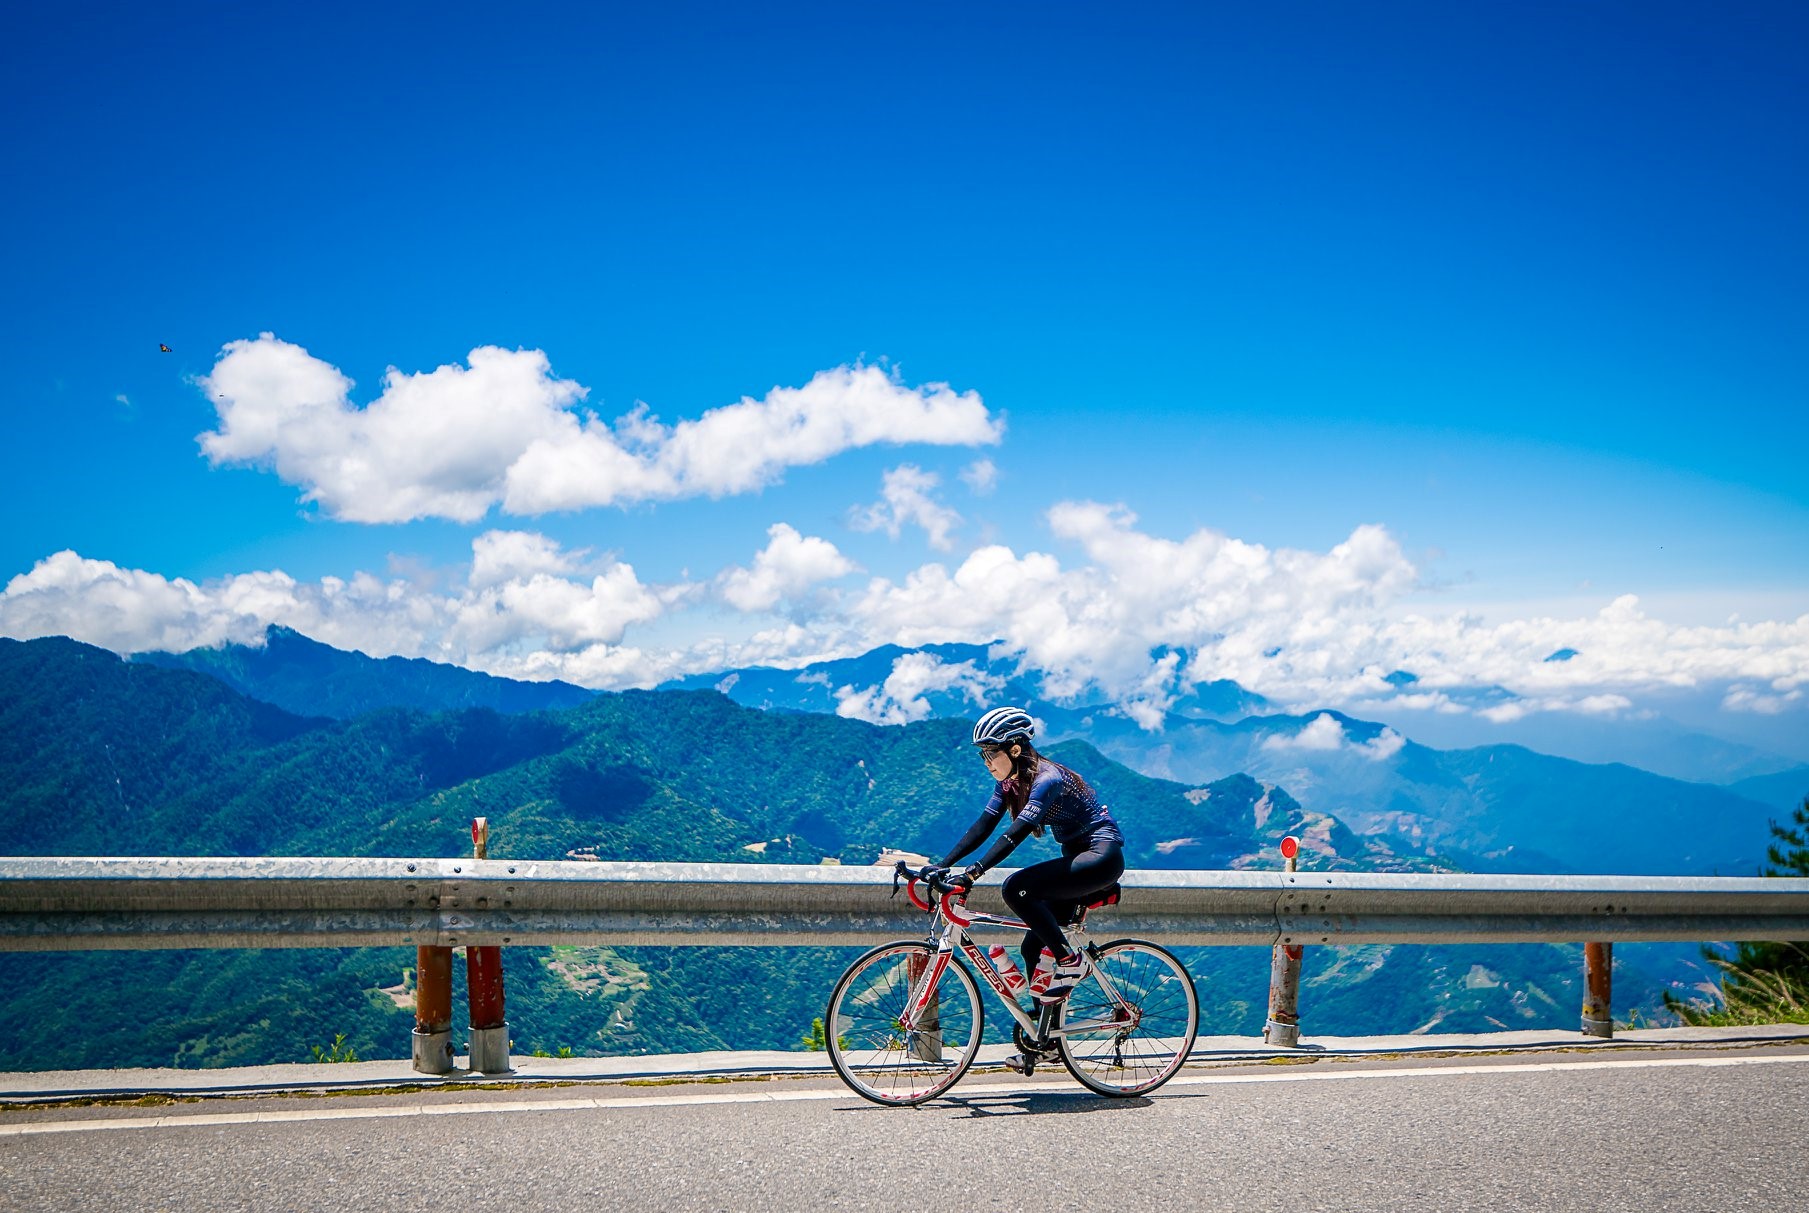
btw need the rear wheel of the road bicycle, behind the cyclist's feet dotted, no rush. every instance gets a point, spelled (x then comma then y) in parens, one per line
(1130, 1026)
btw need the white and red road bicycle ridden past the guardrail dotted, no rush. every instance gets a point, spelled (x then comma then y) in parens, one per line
(905, 1020)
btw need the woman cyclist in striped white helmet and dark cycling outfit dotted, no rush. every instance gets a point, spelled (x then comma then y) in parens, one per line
(1041, 795)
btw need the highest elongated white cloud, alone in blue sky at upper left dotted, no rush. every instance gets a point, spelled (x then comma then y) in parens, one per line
(502, 431)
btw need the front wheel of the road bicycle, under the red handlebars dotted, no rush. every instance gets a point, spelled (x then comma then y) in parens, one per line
(873, 1044)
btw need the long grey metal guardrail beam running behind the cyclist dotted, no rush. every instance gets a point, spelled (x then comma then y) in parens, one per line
(81, 905)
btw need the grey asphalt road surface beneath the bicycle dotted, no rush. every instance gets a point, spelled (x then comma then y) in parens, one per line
(1694, 1131)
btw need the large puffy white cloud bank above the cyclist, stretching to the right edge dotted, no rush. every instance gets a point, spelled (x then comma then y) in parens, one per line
(1303, 628)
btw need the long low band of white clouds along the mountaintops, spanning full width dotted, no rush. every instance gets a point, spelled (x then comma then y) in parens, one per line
(1121, 614)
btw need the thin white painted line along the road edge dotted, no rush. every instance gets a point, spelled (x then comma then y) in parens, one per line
(797, 1096)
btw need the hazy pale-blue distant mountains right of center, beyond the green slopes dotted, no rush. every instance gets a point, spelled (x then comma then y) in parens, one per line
(1482, 809)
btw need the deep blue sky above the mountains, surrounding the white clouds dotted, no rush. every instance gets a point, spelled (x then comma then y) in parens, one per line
(1524, 287)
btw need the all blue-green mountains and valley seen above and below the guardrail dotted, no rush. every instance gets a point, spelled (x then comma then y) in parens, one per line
(191, 755)
